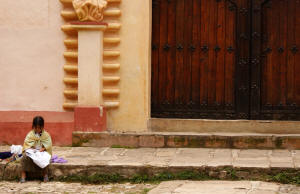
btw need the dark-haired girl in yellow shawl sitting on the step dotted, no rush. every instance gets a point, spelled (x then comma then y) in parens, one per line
(37, 139)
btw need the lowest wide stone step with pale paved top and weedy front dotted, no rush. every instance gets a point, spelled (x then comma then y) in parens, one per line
(93, 164)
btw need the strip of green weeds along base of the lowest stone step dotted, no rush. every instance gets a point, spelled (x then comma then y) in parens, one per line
(280, 176)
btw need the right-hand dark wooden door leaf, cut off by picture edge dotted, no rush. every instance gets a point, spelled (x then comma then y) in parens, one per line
(277, 75)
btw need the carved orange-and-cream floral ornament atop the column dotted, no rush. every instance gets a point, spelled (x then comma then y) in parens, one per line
(89, 10)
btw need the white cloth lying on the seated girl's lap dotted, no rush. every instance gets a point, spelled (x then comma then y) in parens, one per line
(42, 159)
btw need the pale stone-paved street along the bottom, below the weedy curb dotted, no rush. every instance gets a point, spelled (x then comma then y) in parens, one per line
(170, 187)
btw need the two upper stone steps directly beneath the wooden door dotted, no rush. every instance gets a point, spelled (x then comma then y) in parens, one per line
(200, 133)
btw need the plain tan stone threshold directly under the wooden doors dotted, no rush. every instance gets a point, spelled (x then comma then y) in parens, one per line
(223, 126)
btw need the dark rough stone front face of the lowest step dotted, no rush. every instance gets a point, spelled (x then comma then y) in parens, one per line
(63, 172)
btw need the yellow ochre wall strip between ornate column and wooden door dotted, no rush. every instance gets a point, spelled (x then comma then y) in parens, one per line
(133, 113)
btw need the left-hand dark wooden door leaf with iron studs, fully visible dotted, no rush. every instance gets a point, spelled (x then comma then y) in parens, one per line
(200, 55)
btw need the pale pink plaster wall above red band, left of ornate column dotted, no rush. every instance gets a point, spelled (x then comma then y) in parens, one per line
(31, 61)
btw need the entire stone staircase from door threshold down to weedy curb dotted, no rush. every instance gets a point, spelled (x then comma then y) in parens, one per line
(169, 154)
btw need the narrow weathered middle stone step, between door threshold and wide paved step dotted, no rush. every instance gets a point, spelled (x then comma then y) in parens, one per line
(187, 140)
